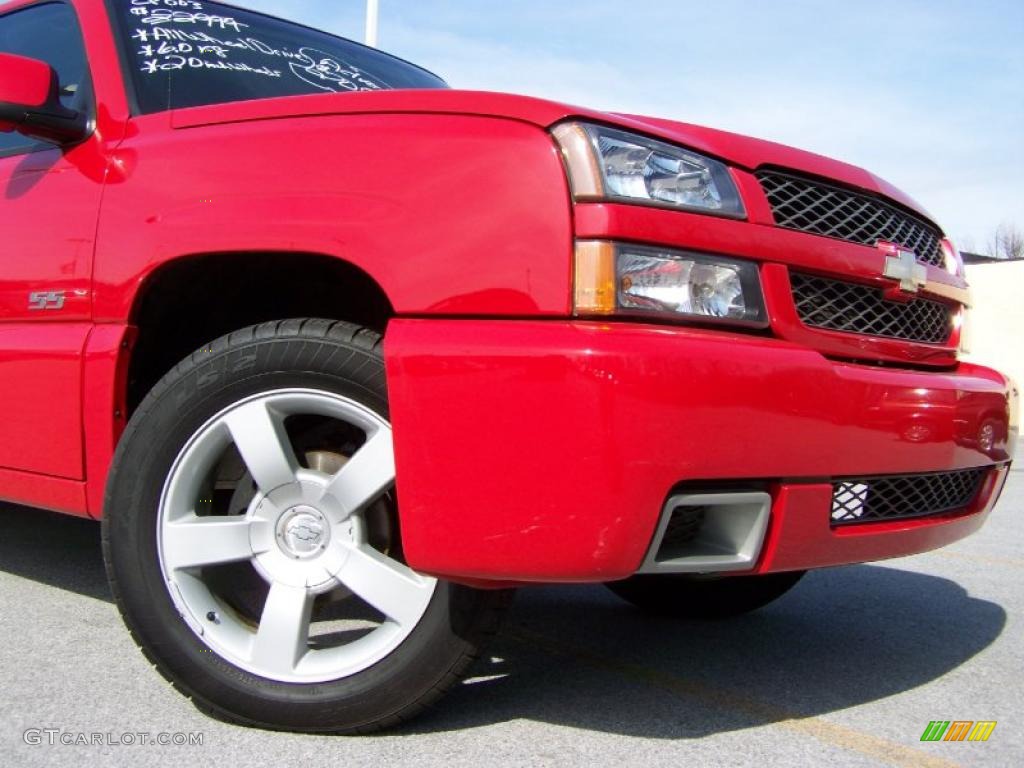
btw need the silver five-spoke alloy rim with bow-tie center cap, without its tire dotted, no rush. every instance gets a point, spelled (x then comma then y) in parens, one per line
(306, 532)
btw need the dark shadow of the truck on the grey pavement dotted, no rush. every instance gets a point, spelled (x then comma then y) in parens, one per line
(579, 657)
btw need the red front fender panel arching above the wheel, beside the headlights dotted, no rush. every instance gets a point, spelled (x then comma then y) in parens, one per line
(406, 198)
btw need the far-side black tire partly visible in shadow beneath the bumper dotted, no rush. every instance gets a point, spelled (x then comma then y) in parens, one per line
(685, 596)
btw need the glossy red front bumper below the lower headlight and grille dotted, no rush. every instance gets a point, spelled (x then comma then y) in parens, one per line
(545, 451)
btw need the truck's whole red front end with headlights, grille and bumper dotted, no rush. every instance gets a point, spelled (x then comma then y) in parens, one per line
(759, 374)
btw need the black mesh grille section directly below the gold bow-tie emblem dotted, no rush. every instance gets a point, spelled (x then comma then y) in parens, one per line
(850, 308)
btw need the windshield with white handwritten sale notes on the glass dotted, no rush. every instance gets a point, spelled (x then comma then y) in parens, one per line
(192, 53)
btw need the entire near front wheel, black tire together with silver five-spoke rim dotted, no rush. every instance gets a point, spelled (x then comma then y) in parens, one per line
(252, 539)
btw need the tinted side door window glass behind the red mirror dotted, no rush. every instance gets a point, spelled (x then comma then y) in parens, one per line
(50, 33)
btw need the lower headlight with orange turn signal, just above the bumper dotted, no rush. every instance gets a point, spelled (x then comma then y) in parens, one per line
(620, 279)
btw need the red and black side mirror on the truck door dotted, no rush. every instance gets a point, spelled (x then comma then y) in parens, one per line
(30, 103)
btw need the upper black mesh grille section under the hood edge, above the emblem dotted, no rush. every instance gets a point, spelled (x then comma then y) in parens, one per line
(822, 209)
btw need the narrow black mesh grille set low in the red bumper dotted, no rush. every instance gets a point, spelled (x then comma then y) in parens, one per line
(900, 497)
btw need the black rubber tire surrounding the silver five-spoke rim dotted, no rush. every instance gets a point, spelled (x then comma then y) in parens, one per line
(325, 356)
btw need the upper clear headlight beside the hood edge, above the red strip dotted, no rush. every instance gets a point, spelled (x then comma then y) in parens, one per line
(609, 164)
